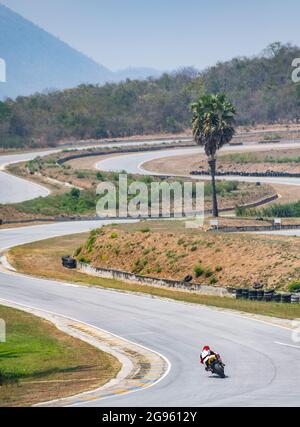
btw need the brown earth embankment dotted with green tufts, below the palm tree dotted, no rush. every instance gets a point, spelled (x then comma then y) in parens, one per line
(167, 251)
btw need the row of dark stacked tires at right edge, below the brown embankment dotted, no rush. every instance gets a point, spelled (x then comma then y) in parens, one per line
(266, 295)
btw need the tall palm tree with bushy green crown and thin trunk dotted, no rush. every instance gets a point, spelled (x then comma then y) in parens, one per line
(213, 127)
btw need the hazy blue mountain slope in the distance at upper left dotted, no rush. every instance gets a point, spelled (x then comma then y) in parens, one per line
(37, 61)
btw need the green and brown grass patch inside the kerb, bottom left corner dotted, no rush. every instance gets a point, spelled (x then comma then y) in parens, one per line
(39, 363)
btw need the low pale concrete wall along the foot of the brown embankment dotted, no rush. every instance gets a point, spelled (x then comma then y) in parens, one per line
(152, 281)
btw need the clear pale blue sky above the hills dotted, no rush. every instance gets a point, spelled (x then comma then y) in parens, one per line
(165, 34)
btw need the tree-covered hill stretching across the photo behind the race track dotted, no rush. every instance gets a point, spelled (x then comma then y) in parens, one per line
(261, 87)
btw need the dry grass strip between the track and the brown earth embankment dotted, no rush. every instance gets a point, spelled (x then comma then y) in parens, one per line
(46, 256)
